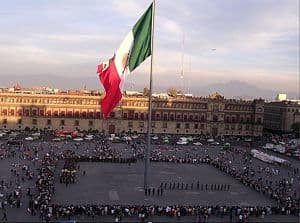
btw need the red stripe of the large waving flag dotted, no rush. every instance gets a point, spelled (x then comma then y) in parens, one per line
(110, 79)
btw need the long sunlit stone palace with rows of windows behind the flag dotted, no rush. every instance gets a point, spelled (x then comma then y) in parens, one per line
(213, 115)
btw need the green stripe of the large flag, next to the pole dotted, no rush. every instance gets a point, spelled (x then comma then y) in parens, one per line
(142, 40)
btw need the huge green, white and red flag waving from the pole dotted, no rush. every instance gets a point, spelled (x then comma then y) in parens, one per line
(134, 49)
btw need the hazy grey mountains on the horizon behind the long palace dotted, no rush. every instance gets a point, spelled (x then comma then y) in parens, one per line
(231, 89)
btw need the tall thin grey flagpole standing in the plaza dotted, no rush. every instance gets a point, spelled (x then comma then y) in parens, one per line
(148, 148)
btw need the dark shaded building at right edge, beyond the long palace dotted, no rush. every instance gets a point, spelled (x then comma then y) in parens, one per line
(281, 115)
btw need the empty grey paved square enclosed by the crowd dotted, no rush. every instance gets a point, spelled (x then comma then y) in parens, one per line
(123, 184)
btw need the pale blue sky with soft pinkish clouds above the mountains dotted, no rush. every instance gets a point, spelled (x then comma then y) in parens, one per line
(256, 41)
